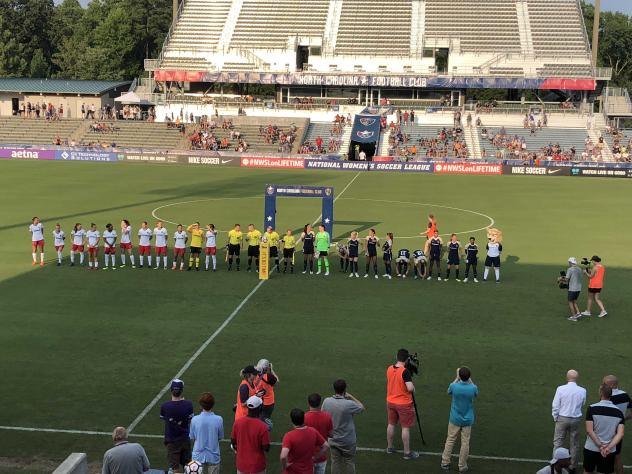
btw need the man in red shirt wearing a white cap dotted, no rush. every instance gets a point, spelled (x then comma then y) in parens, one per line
(250, 439)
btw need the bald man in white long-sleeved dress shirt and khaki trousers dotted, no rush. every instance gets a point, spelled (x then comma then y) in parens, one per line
(567, 413)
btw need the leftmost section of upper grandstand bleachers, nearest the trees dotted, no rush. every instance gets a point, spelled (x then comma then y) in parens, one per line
(199, 26)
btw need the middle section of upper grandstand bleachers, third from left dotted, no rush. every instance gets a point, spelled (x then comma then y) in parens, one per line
(360, 34)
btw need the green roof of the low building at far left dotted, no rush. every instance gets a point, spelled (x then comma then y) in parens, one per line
(59, 86)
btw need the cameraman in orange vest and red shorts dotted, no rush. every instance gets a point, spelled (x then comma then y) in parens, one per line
(399, 403)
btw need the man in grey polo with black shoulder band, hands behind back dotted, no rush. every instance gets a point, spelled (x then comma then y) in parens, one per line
(604, 431)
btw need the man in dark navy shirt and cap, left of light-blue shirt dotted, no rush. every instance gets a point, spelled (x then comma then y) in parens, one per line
(176, 414)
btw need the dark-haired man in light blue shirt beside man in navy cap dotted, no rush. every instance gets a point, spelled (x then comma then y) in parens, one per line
(207, 429)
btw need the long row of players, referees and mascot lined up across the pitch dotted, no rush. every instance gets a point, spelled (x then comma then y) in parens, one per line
(315, 245)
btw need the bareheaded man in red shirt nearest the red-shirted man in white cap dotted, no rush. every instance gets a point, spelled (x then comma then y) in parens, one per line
(299, 445)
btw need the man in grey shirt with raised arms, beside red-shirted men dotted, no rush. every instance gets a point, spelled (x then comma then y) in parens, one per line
(342, 407)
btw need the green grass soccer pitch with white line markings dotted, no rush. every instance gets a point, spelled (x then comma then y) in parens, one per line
(88, 350)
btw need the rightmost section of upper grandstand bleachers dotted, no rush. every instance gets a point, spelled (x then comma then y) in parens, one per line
(557, 28)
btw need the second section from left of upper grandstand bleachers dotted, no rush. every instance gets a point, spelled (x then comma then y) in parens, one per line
(268, 24)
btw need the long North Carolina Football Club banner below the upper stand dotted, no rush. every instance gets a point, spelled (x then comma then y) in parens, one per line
(364, 80)
